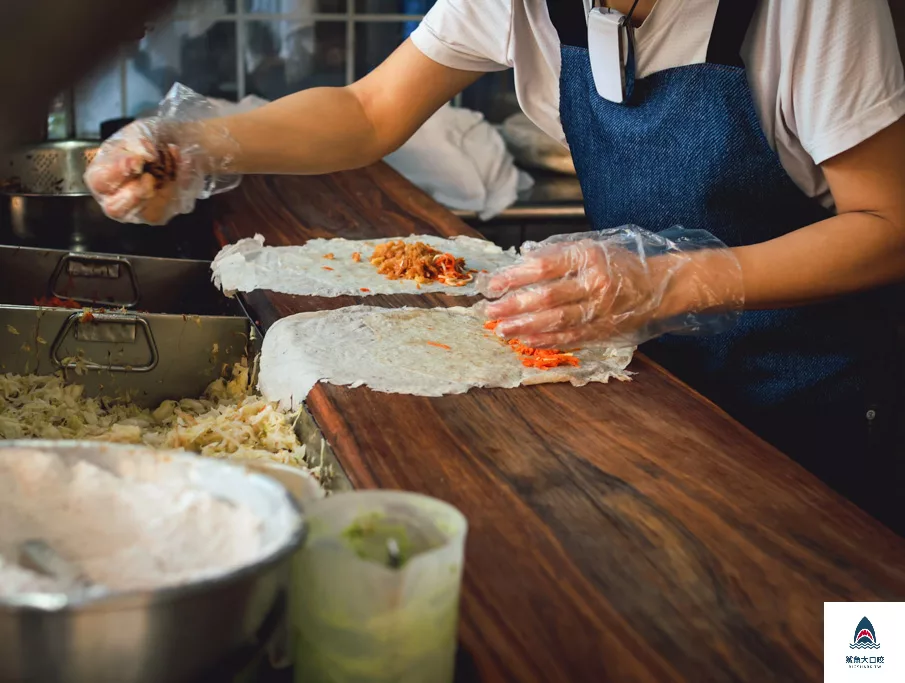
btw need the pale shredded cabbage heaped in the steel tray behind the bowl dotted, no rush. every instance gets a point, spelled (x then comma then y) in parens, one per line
(227, 422)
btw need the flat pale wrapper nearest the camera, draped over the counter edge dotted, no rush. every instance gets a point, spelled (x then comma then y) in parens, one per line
(419, 351)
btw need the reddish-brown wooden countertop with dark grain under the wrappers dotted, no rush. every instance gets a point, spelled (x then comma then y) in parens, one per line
(628, 531)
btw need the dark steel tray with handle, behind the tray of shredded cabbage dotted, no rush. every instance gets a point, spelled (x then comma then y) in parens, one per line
(156, 285)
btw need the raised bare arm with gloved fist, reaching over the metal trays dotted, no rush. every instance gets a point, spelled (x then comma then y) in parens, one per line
(314, 131)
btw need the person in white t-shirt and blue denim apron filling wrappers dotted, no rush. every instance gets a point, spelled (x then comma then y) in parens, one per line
(771, 132)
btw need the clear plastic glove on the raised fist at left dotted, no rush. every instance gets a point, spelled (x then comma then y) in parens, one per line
(156, 168)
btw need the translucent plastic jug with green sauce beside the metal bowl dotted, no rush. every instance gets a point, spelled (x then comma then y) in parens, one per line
(376, 589)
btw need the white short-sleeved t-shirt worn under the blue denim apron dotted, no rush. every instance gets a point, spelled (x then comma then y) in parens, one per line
(825, 74)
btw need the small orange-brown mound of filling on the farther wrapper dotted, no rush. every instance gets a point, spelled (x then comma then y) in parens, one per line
(417, 261)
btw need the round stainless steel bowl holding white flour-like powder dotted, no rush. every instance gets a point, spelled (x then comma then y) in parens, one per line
(193, 632)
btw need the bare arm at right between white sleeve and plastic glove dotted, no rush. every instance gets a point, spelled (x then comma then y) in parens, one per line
(861, 248)
